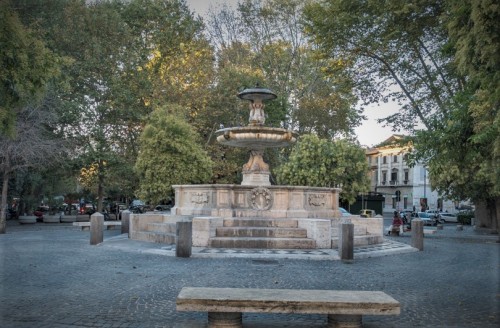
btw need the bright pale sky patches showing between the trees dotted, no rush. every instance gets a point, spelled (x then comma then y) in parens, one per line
(369, 133)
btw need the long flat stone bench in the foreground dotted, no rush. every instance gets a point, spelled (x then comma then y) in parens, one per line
(344, 308)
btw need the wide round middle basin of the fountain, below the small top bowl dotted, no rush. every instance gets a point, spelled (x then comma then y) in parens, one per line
(256, 137)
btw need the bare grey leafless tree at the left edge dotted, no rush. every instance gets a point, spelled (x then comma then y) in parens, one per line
(34, 146)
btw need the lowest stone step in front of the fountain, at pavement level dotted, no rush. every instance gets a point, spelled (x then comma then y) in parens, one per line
(269, 243)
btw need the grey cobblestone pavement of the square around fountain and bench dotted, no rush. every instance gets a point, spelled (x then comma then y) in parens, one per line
(50, 276)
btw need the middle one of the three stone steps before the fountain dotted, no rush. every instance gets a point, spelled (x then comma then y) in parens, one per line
(261, 232)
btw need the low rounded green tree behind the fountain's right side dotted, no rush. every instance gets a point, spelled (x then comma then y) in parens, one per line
(322, 163)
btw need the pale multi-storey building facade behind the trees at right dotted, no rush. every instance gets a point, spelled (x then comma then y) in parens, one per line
(403, 187)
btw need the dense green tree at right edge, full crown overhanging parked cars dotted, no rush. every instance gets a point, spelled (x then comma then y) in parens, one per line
(463, 146)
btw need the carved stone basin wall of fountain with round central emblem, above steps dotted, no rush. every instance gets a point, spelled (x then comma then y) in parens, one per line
(227, 200)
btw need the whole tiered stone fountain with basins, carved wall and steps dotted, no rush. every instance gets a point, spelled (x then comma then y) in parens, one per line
(256, 214)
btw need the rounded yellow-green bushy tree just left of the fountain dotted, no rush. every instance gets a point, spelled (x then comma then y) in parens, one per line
(170, 154)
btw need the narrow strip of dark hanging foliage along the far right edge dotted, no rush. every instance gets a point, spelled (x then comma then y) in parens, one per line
(474, 33)
